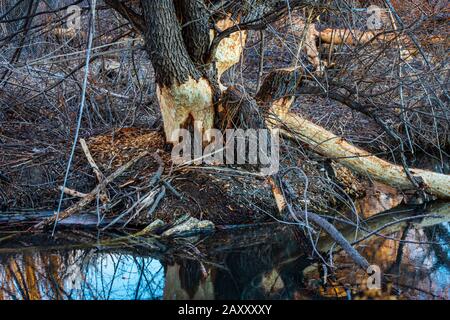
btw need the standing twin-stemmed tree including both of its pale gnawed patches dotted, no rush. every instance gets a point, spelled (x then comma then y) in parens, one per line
(187, 84)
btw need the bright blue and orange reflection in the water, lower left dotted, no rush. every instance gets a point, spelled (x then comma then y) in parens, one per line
(80, 275)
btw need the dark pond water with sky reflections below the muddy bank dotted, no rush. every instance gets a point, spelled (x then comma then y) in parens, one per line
(268, 262)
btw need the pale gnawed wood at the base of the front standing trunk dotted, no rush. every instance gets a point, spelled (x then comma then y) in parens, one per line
(178, 102)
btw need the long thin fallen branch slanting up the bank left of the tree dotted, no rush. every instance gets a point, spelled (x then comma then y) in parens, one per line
(90, 196)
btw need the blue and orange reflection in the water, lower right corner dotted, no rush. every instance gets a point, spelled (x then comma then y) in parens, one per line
(419, 271)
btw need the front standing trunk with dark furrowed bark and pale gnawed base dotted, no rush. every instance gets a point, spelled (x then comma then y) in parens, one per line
(185, 94)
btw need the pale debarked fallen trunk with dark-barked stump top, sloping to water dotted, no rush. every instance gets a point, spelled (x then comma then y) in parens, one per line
(277, 96)
